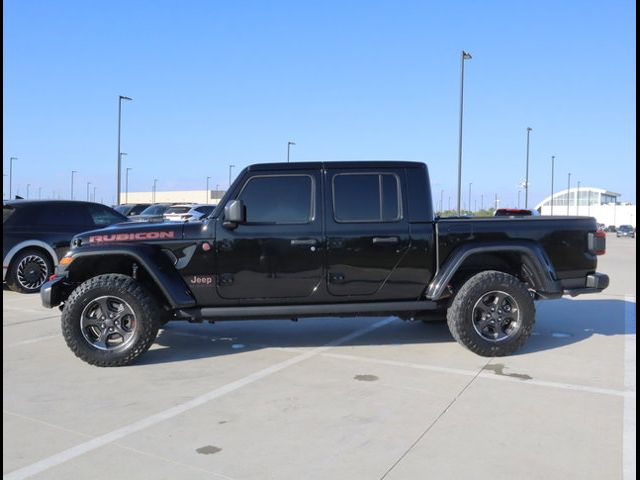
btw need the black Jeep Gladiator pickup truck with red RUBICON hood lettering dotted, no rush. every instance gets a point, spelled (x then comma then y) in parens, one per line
(293, 240)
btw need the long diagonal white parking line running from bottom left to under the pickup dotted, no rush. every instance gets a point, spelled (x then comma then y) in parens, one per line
(97, 442)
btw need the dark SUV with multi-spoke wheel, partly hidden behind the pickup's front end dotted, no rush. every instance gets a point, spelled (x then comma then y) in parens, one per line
(36, 234)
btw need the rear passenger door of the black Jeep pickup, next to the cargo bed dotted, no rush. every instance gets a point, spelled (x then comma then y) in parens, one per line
(366, 228)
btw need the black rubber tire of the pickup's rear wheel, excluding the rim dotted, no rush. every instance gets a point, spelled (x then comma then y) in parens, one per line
(460, 314)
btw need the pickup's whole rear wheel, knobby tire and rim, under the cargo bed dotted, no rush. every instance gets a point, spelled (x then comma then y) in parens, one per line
(492, 314)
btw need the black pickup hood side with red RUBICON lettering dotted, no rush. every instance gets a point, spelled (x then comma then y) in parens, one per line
(129, 232)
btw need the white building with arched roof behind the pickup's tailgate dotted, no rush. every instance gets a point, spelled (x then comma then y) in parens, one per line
(592, 202)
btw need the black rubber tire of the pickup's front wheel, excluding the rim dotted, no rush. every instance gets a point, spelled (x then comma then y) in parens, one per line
(148, 316)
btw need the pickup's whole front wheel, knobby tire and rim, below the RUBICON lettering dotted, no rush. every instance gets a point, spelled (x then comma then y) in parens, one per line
(110, 320)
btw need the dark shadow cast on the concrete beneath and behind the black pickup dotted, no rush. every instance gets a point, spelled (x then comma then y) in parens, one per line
(558, 323)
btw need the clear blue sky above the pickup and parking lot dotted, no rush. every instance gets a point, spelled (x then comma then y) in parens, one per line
(217, 83)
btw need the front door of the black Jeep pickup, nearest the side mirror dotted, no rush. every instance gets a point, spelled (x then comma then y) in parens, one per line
(277, 253)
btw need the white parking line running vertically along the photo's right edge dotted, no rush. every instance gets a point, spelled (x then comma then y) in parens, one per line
(629, 418)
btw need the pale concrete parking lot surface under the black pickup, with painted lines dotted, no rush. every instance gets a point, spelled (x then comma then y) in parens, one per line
(363, 398)
